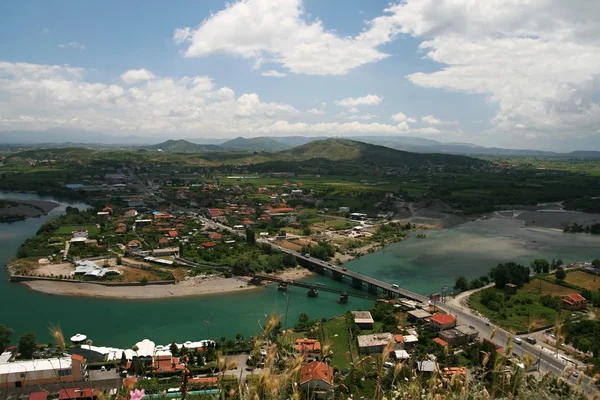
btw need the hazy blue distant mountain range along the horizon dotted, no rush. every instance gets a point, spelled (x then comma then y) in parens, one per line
(60, 137)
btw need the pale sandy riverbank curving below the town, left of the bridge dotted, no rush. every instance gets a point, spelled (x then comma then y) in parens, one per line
(194, 286)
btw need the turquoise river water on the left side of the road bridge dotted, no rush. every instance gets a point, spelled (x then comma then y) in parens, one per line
(125, 322)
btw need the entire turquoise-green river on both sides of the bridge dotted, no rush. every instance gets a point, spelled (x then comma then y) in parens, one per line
(422, 265)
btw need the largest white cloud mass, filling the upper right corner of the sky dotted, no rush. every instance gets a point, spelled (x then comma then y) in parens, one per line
(538, 60)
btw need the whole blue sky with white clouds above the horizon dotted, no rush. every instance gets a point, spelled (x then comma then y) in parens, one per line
(506, 73)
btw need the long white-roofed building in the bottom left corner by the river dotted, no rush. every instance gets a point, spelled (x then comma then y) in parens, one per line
(41, 372)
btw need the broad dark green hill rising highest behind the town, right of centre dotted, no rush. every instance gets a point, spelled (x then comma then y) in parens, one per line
(344, 150)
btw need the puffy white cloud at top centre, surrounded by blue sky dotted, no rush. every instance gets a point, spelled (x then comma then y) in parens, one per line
(280, 32)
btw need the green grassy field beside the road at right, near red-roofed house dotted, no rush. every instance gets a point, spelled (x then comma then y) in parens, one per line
(522, 311)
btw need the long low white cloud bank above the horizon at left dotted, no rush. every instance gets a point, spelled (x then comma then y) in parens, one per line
(34, 96)
